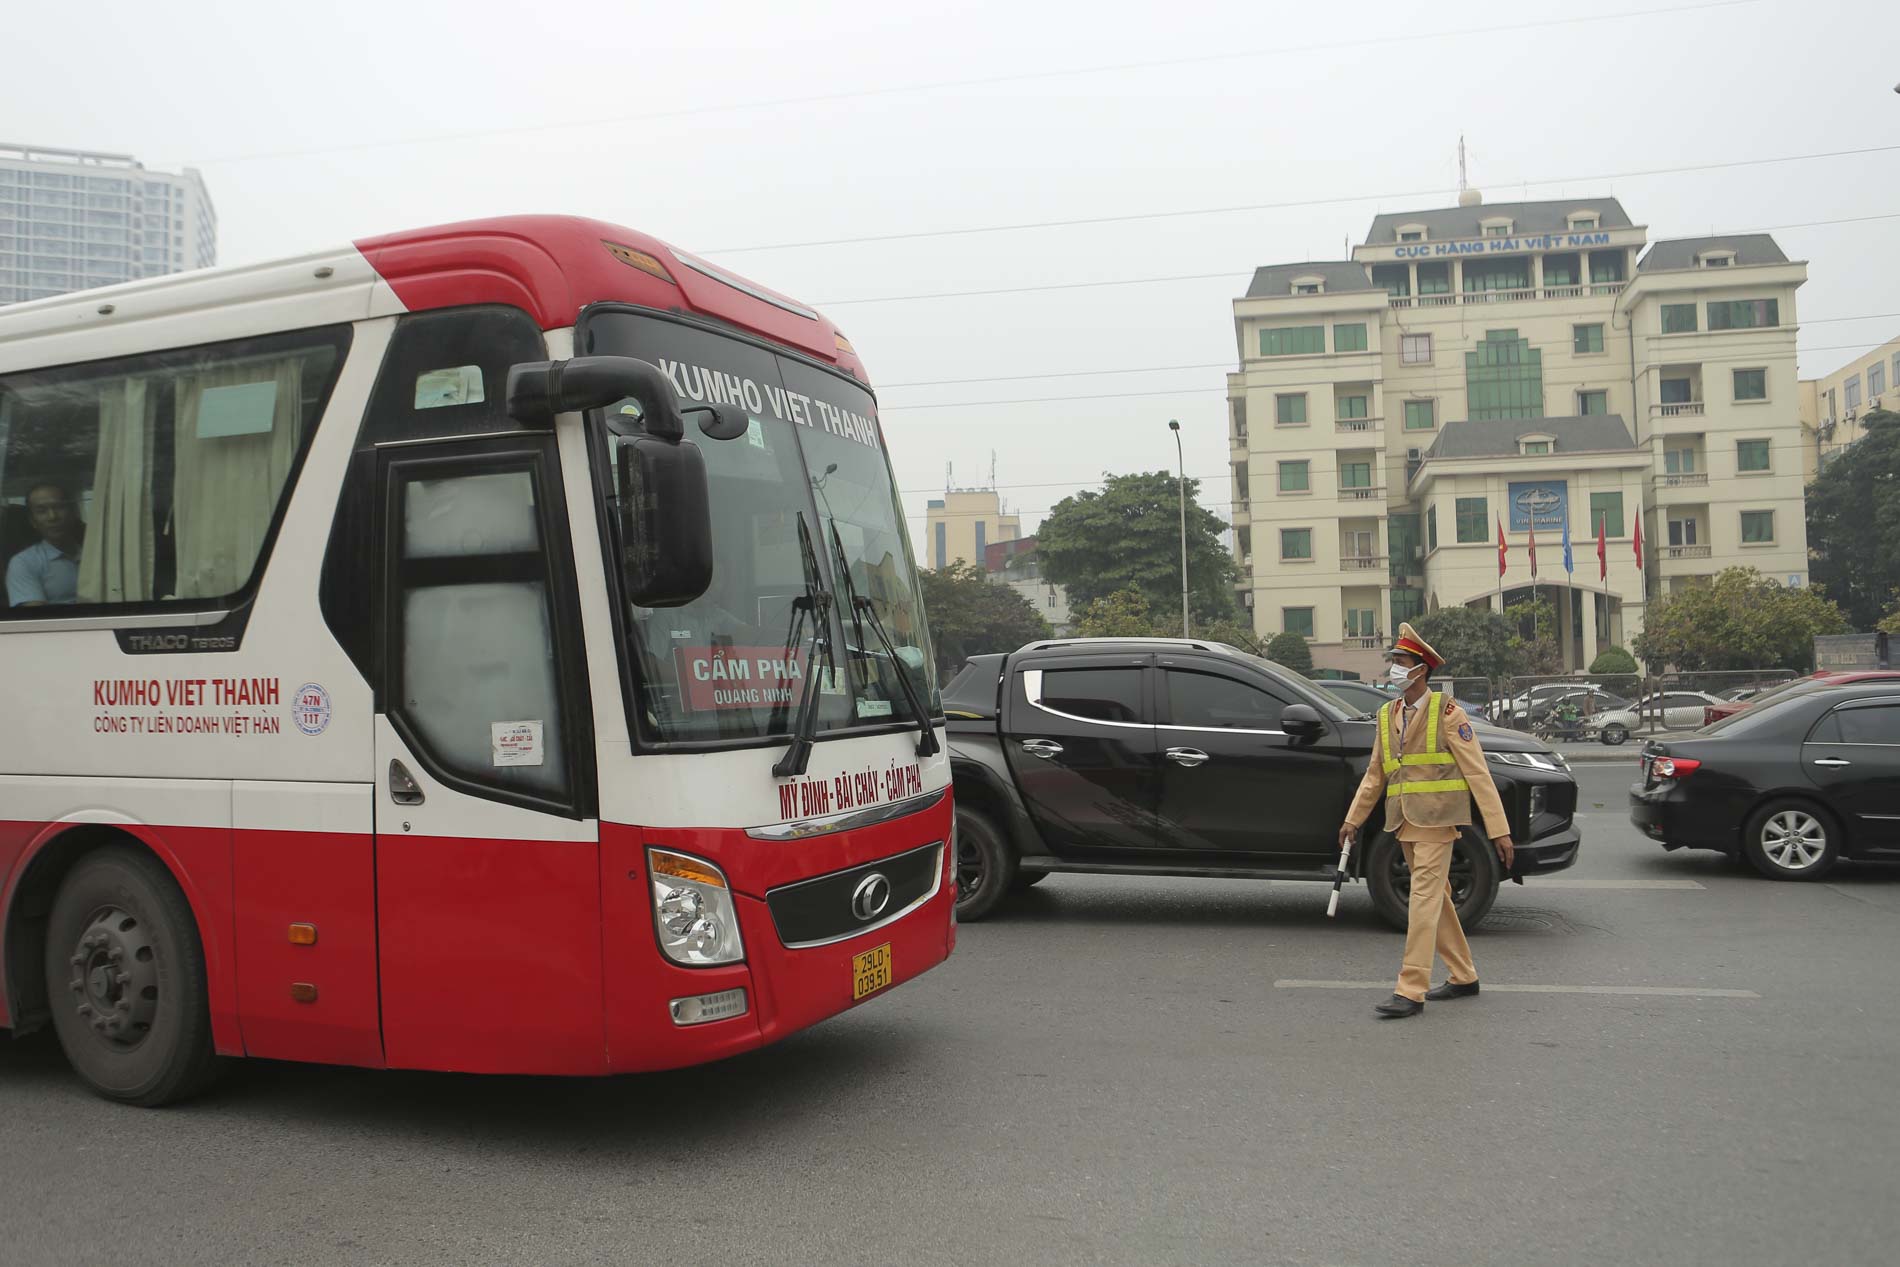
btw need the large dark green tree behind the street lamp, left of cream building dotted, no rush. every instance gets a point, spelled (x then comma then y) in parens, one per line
(1128, 537)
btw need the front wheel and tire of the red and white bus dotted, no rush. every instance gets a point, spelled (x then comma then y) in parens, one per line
(126, 981)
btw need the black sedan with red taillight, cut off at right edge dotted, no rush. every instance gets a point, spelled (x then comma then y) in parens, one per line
(1793, 785)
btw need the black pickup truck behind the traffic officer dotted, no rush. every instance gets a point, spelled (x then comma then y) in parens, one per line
(1192, 759)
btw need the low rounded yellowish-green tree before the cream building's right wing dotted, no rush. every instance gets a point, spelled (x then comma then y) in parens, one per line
(1741, 620)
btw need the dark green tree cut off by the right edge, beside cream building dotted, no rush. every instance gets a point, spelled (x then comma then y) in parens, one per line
(1853, 523)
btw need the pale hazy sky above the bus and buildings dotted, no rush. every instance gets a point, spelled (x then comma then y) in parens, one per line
(727, 126)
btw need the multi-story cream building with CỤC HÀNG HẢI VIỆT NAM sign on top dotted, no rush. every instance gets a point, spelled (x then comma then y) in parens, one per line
(1521, 368)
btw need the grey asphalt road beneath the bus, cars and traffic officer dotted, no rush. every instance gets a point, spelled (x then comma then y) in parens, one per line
(1107, 1072)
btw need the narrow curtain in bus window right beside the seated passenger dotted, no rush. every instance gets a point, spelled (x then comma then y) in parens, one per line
(117, 561)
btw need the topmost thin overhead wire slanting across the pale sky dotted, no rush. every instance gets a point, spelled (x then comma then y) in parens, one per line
(987, 81)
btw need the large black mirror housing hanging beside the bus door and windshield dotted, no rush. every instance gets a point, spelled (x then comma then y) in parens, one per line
(666, 521)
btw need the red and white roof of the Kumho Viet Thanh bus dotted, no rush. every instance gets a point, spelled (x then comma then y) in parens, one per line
(550, 267)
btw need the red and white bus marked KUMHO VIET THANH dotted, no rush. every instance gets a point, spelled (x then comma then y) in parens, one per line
(485, 649)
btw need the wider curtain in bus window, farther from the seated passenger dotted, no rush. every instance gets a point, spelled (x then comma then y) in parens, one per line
(237, 436)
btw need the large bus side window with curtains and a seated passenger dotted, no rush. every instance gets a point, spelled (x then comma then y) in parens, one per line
(161, 478)
